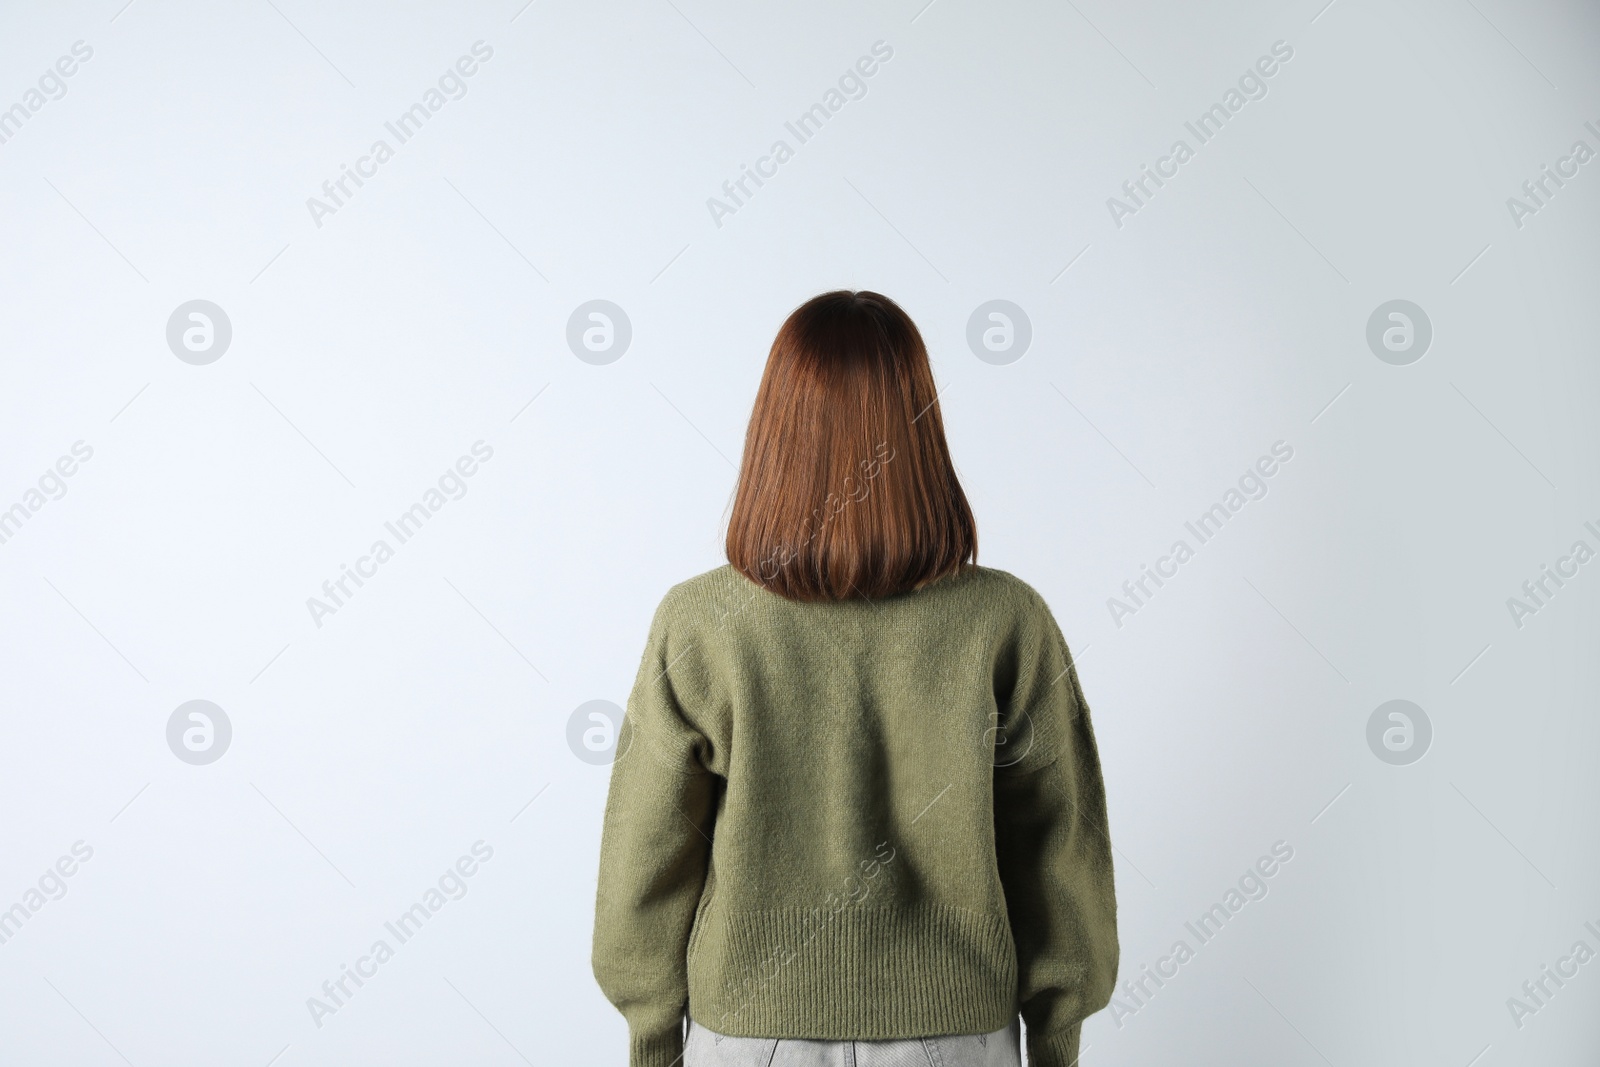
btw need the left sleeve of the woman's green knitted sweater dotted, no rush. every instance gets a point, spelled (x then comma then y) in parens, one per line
(654, 855)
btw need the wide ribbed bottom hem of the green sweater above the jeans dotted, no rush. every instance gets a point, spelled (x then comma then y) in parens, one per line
(870, 973)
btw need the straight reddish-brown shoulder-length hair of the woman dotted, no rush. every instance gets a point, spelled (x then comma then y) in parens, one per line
(847, 489)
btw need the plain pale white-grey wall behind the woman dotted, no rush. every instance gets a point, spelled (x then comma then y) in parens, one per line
(372, 351)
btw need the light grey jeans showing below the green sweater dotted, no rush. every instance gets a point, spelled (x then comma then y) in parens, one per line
(1002, 1049)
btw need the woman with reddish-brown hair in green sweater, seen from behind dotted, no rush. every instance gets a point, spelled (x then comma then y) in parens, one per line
(857, 813)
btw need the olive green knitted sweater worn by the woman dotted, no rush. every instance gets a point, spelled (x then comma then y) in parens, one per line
(857, 820)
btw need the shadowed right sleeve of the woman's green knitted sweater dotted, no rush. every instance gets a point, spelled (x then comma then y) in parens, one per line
(1054, 849)
